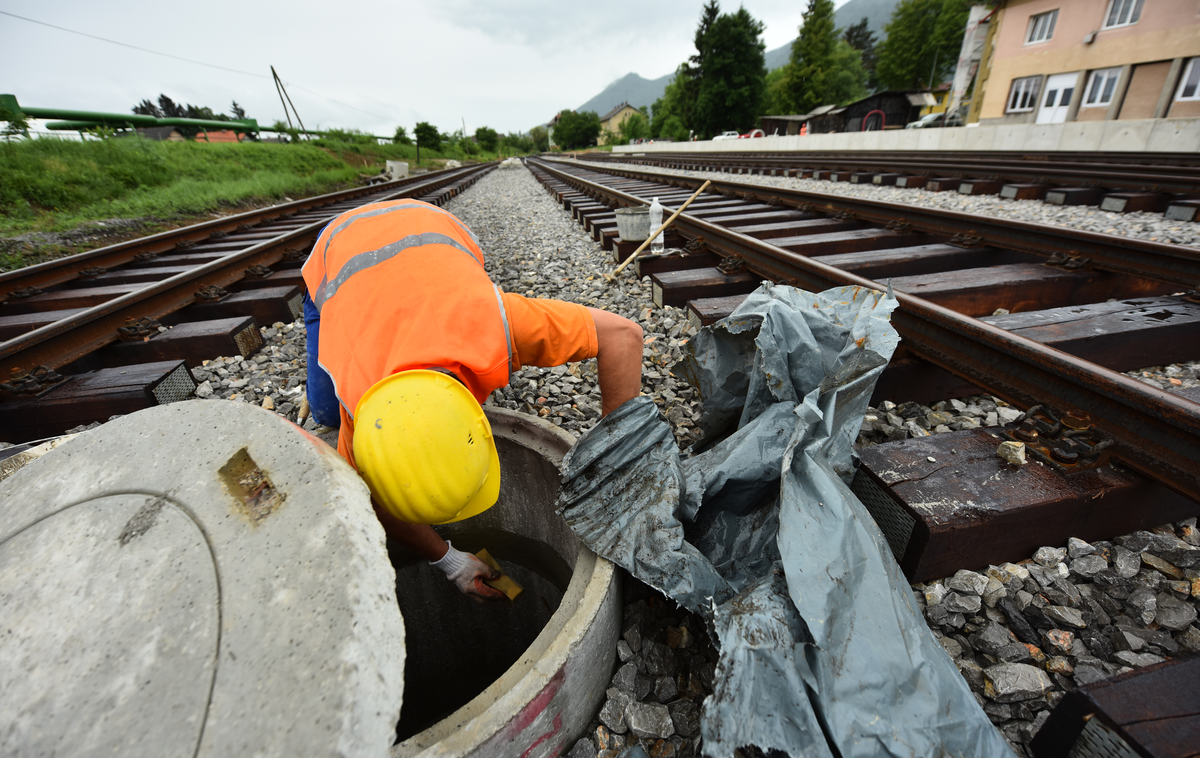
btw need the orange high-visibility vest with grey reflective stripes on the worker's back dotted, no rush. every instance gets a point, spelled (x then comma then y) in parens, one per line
(403, 286)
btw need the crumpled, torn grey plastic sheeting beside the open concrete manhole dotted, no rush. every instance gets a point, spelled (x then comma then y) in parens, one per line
(824, 651)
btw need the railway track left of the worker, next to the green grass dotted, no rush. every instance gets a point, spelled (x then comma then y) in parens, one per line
(118, 329)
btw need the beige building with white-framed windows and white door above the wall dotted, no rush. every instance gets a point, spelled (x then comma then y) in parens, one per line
(1051, 62)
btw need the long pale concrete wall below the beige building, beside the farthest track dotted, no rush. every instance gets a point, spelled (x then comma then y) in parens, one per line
(1145, 136)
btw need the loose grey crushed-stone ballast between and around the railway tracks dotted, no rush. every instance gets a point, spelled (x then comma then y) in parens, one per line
(1022, 634)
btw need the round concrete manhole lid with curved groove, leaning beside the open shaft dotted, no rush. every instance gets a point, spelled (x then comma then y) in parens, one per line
(196, 580)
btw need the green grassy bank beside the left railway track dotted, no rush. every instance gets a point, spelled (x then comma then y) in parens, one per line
(50, 185)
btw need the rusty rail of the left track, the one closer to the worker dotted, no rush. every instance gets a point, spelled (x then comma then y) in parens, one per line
(67, 340)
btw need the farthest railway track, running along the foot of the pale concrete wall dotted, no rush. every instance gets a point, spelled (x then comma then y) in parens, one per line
(1115, 182)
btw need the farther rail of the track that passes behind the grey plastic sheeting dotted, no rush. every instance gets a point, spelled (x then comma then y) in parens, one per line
(1173, 264)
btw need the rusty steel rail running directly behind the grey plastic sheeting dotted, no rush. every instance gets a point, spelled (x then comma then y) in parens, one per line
(1154, 431)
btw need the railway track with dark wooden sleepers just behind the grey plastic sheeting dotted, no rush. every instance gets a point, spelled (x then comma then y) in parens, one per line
(1042, 317)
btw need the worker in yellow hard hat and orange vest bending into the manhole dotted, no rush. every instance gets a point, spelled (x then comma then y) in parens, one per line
(407, 338)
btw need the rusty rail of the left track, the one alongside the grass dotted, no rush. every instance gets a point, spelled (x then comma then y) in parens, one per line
(52, 273)
